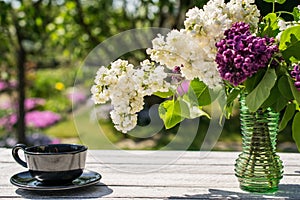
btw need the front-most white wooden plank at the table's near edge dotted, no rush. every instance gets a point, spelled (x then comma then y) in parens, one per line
(119, 192)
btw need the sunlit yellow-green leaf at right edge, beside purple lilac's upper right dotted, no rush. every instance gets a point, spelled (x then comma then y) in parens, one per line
(290, 43)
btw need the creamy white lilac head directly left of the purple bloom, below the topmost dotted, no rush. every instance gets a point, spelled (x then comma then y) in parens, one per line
(187, 49)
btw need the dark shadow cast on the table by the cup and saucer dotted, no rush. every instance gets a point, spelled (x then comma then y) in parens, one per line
(95, 191)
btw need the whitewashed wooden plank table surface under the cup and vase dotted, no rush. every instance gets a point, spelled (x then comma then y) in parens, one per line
(157, 175)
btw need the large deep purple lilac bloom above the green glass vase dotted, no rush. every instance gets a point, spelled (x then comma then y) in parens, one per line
(240, 54)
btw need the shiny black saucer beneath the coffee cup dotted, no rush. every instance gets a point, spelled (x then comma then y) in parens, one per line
(25, 181)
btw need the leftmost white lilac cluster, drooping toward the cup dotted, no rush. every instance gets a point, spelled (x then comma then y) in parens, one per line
(126, 86)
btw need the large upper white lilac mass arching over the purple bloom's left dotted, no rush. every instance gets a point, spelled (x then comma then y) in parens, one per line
(194, 46)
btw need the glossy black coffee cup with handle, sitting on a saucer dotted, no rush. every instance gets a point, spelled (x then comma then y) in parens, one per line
(53, 163)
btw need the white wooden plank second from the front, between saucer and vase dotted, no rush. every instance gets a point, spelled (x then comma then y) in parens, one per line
(168, 179)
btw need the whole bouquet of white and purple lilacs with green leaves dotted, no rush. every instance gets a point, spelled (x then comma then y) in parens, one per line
(224, 49)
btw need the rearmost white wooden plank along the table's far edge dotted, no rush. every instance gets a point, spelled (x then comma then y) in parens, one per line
(161, 157)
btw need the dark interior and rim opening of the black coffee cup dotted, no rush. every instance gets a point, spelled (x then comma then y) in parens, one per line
(56, 148)
